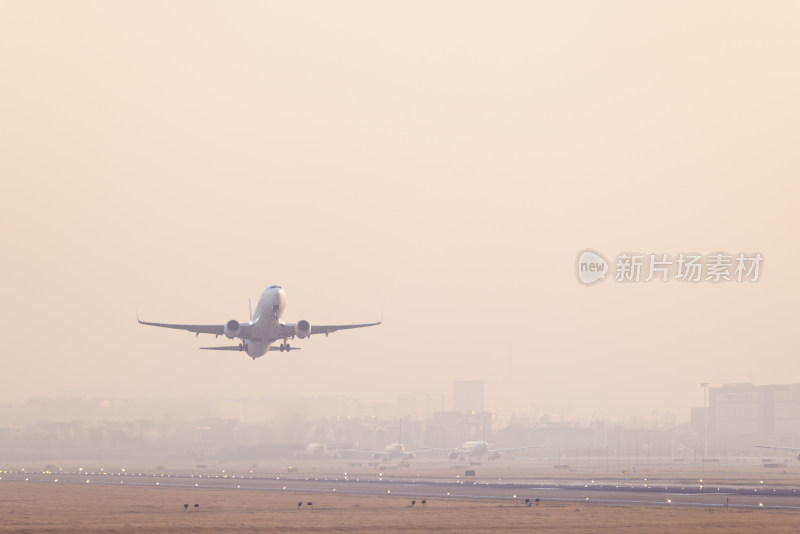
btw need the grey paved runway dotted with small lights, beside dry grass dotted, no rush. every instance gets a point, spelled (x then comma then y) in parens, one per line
(418, 487)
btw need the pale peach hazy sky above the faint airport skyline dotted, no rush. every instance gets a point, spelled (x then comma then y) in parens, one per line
(444, 162)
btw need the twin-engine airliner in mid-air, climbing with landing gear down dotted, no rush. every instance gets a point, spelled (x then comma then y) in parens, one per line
(264, 327)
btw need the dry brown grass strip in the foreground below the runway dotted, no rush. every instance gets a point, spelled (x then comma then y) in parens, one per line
(29, 507)
